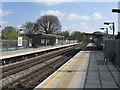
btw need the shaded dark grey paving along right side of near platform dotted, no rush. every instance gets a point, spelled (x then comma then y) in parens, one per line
(99, 75)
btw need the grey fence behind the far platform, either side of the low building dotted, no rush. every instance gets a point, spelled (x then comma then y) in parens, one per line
(6, 45)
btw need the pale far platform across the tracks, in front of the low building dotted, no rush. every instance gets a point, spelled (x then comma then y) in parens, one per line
(15, 53)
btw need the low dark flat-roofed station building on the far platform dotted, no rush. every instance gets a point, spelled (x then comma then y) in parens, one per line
(37, 40)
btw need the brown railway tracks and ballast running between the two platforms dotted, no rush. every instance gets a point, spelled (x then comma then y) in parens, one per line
(30, 72)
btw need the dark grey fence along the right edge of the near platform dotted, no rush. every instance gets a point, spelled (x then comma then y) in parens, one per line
(112, 51)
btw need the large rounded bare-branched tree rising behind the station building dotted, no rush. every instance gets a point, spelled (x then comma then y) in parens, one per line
(48, 24)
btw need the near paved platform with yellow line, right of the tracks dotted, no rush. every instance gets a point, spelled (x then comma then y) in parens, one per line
(85, 70)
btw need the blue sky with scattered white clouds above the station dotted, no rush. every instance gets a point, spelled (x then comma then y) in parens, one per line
(73, 16)
